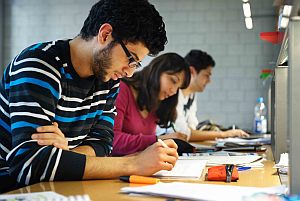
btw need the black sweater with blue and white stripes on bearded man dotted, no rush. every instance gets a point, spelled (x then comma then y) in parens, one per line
(40, 86)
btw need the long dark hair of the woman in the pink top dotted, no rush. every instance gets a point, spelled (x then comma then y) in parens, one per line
(147, 84)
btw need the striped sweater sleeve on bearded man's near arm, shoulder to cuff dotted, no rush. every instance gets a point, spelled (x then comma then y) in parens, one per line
(33, 89)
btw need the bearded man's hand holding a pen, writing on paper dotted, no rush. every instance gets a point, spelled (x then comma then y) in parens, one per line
(156, 158)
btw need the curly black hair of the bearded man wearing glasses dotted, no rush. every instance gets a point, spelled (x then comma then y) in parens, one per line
(132, 21)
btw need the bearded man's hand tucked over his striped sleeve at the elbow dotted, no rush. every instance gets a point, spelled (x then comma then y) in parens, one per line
(51, 135)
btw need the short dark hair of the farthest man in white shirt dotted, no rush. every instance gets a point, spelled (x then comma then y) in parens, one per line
(200, 60)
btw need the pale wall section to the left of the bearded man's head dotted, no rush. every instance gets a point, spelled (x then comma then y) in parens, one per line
(32, 21)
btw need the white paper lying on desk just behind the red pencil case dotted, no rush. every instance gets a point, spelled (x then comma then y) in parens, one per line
(219, 160)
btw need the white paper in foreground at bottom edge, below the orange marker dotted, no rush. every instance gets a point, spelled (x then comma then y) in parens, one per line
(193, 191)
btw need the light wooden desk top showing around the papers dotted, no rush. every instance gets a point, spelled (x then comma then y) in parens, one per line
(109, 189)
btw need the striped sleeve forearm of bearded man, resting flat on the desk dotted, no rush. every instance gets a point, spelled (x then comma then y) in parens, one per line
(30, 163)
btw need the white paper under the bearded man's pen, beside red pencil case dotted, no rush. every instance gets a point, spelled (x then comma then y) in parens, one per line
(191, 169)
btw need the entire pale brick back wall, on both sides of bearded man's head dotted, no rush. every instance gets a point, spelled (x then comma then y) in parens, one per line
(216, 26)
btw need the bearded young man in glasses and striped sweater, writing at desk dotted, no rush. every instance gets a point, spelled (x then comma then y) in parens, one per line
(57, 100)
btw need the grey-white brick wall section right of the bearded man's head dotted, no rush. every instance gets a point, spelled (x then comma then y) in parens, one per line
(217, 26)
